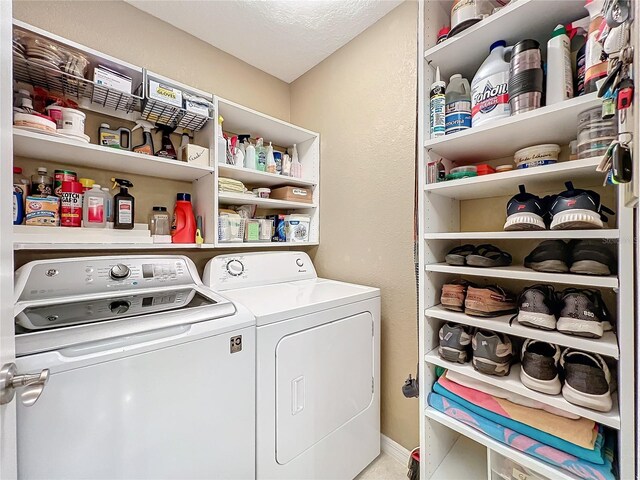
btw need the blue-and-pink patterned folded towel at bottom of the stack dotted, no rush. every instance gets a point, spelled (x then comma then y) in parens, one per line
(557, 458)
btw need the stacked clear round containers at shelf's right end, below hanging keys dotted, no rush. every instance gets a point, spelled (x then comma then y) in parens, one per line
(595, 134)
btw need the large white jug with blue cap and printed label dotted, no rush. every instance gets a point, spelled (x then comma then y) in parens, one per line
(490, 87)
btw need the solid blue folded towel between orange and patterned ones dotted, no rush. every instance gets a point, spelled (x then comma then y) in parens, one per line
(590, 455)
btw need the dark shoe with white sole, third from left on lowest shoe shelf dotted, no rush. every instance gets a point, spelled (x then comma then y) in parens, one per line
(539, 367)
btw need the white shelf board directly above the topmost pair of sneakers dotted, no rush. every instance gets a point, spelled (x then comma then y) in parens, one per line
(581, 172)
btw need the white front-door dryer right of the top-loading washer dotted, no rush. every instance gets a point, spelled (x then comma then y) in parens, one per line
(318, 364)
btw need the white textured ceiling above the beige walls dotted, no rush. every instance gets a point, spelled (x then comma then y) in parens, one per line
(282, 37)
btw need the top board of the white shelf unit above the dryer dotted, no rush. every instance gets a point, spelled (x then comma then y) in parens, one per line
(240, 120)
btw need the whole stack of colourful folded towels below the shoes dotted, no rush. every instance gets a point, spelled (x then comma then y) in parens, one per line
(573, 444)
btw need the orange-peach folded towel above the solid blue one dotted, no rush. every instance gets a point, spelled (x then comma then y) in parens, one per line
(582, 433)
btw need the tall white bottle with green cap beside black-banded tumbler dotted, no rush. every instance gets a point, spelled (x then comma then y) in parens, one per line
(559, 72)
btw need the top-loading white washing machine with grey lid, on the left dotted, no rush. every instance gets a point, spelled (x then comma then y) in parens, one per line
(151, 374)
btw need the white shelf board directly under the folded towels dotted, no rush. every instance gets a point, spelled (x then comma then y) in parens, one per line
(517, 456)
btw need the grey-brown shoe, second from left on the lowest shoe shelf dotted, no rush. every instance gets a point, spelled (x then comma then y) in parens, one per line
(492, 353)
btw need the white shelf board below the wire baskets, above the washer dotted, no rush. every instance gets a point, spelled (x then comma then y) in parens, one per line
(70, 152)
